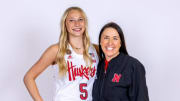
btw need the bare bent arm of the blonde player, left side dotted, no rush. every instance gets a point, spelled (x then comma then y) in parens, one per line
(46, 59)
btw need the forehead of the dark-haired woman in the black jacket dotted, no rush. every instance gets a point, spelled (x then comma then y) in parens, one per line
(110, 32)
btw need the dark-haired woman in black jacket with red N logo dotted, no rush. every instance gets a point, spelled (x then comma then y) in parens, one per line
(120, 77)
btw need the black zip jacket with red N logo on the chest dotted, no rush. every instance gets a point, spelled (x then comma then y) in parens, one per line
(124, 80)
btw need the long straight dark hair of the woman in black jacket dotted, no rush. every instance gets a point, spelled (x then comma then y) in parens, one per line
(121, 35)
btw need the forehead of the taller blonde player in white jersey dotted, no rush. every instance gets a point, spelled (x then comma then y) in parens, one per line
(75, 14)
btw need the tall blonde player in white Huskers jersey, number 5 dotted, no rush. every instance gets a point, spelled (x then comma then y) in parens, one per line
(74, 60)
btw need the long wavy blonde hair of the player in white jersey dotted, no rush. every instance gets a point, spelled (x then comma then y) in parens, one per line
(63, 42)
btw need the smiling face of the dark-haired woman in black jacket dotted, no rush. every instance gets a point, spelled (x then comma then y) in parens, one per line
(110, 43)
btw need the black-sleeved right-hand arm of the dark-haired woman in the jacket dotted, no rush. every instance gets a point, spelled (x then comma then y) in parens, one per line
(138, 91)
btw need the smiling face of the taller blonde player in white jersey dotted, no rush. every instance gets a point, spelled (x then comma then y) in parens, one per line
(75, 23)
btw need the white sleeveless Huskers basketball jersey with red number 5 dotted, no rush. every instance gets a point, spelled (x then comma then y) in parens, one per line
(77, 84)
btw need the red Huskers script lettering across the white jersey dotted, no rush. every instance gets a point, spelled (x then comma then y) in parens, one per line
(81, 71)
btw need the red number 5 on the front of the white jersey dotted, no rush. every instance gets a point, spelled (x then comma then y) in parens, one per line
(83, 90)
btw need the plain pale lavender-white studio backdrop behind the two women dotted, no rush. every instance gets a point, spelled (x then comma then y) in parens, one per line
(151, 29)
